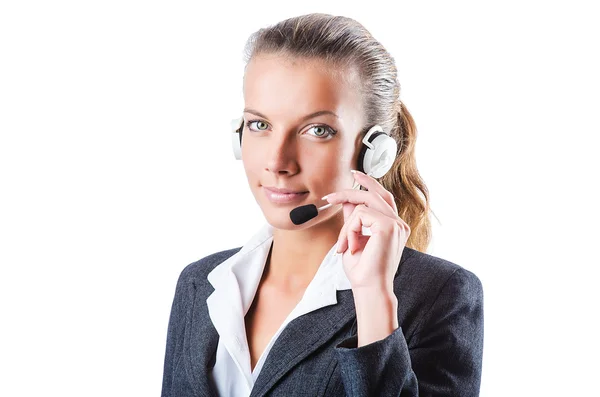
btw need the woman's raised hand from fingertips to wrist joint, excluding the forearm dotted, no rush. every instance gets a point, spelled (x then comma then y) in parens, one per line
(370, 262)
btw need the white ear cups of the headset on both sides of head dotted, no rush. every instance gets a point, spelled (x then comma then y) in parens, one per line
(375, 158)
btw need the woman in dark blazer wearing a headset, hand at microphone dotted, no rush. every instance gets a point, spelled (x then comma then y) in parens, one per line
(287, 315)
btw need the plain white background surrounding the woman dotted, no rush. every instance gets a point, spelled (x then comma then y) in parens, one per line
(116, 171)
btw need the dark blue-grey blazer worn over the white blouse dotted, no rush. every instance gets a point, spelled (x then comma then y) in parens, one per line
(436, 351)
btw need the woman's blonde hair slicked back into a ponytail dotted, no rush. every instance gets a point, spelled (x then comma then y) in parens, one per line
(344, 43)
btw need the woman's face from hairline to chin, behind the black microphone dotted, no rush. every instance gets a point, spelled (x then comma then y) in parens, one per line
(301, 125)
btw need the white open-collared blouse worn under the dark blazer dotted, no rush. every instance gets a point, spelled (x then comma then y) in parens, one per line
(236, 282)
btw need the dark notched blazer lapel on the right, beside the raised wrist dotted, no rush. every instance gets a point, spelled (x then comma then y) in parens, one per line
(313, 331)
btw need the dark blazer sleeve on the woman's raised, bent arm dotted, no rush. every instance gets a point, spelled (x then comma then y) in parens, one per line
(443, 357)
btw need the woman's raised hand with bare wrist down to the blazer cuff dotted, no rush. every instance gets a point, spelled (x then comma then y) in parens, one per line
(370, 262)
